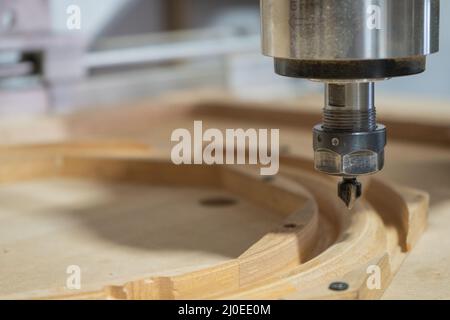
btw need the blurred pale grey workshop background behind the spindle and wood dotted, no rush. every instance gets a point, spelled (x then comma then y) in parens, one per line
(133, 49)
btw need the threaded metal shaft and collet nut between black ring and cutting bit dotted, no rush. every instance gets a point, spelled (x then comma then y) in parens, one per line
(349, 143)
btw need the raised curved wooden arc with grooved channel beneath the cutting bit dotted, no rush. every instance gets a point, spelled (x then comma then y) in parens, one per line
(318, 243)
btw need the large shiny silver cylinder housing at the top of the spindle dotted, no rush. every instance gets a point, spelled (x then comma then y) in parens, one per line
(349, 29)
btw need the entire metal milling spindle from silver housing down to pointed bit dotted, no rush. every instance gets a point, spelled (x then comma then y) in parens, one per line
(349, 45)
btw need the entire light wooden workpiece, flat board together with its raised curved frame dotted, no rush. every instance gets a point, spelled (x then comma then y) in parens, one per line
(139, 233)
